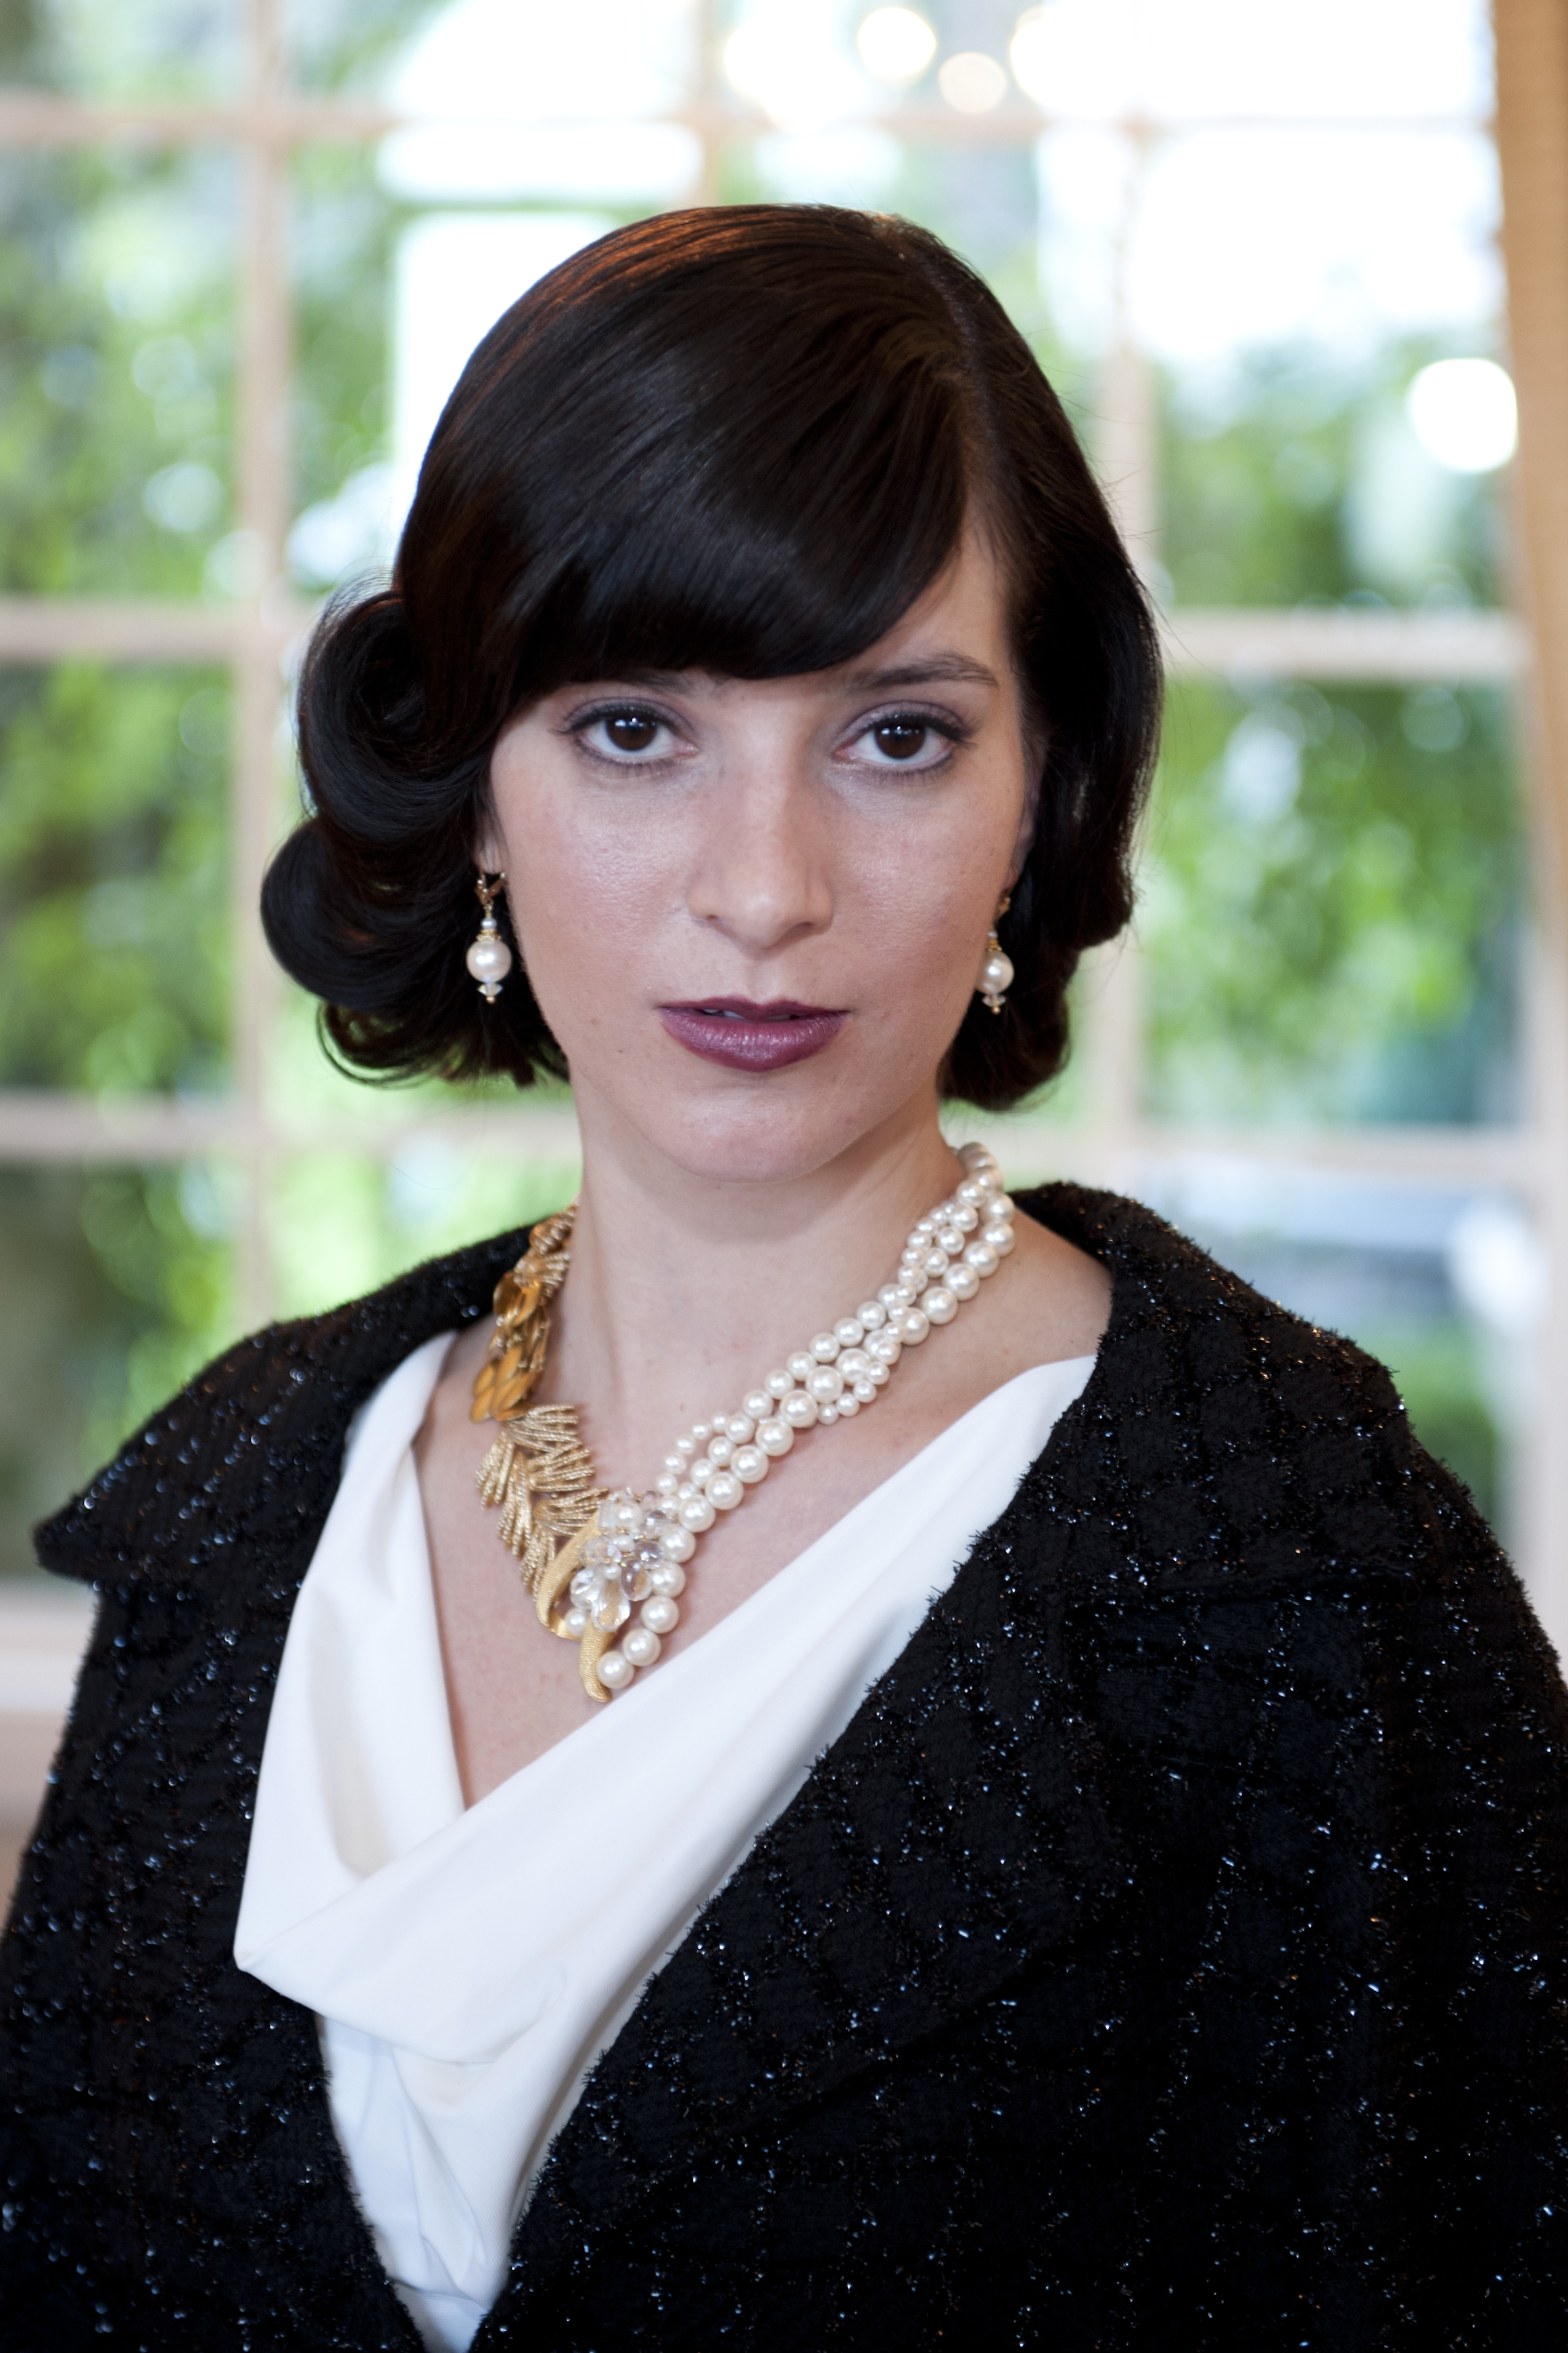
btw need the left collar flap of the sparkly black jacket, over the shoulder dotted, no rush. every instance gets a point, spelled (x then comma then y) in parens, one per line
(250, 1448)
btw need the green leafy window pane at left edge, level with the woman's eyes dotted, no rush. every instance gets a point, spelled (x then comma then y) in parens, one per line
(114, 879)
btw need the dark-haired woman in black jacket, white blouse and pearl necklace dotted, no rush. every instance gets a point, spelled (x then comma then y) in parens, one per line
(972, 1778)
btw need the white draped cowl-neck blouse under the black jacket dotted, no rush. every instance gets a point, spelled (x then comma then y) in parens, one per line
(469, 1966)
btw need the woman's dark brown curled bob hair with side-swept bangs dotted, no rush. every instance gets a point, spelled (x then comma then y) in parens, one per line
(737, 441)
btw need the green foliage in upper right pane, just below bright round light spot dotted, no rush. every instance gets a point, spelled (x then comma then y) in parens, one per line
(1299, 479)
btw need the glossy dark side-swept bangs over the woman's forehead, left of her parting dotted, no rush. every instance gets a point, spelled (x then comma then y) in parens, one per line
(723, 476)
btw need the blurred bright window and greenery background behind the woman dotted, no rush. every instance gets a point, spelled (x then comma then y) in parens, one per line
(246, 248)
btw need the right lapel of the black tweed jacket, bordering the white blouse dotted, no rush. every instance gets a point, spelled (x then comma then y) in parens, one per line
(958, 1832)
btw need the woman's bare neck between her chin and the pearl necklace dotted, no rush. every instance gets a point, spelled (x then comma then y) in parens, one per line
(688, 1291)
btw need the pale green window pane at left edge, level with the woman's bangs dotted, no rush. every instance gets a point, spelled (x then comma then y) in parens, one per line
(116, 316)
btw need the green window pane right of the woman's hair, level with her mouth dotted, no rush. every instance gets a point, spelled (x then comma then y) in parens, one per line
(1334, 905)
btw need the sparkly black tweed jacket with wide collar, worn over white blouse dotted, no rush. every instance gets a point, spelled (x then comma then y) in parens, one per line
(1172, 1954)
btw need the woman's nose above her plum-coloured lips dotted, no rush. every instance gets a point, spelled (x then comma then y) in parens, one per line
(763, 874)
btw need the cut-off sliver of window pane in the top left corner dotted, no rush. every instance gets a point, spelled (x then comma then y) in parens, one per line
(123, 48)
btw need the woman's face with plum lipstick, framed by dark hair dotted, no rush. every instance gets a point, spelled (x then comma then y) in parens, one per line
(753, 909)
